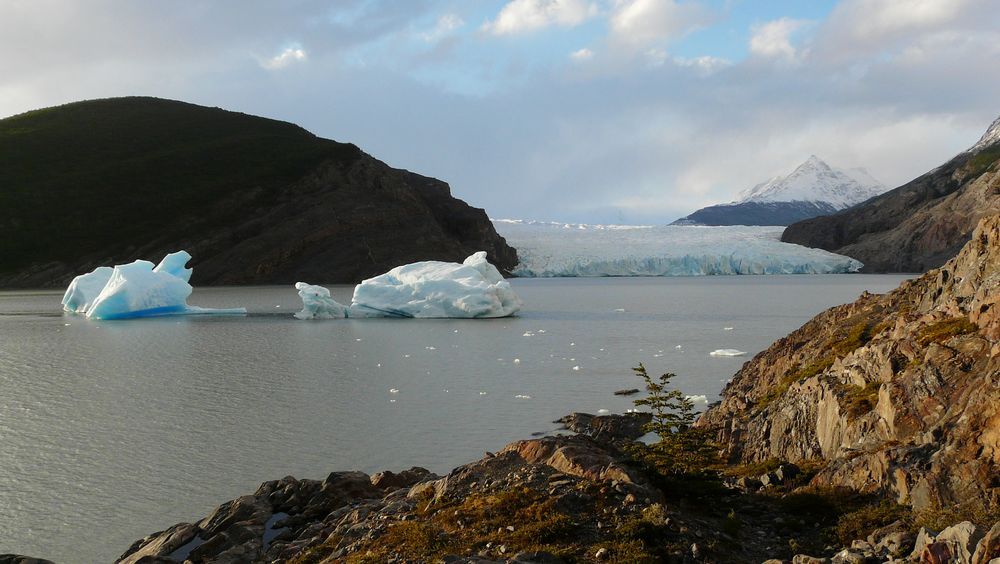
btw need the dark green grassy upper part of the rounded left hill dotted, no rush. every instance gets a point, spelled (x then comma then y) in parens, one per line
(75, 179)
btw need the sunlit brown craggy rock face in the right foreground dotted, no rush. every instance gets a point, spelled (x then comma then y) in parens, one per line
(899, 392)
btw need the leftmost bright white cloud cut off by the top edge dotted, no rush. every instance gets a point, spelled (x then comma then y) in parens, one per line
(522, 16)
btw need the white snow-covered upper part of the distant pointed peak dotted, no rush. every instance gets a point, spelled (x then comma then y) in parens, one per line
(816, 181)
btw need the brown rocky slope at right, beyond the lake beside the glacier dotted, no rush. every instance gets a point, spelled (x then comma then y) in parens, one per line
(919, 225)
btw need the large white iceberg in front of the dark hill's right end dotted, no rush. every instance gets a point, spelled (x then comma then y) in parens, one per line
(473, 289)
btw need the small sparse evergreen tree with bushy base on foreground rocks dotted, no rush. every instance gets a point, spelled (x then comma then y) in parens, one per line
(682, 448)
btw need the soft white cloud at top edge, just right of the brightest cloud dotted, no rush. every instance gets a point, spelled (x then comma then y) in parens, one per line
(642, 22)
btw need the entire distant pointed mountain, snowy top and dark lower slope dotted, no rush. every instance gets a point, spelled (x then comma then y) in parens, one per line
(814, 188)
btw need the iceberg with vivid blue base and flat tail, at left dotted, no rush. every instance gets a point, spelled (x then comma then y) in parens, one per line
(137, 289)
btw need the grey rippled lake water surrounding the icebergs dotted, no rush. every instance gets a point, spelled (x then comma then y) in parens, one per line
(113, 430)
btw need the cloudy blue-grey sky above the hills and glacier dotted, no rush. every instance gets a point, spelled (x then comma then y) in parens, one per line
(613, 111)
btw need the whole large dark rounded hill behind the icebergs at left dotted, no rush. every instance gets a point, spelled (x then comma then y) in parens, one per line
(254, 200)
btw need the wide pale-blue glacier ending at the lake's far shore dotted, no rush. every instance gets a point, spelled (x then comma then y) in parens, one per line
(547, 249)
